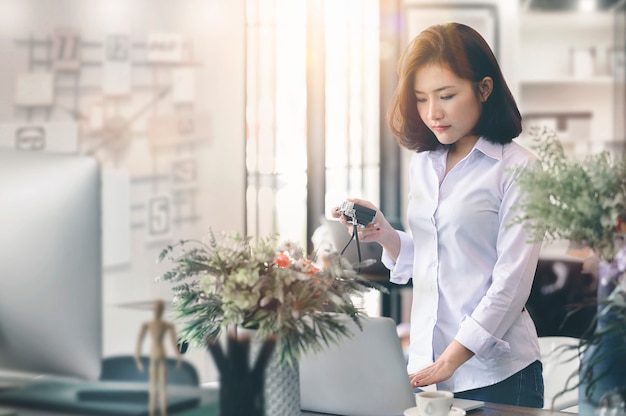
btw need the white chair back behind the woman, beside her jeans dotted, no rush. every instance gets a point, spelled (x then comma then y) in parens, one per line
(560, 371)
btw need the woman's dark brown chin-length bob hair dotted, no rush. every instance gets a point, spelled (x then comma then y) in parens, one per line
(464, 51)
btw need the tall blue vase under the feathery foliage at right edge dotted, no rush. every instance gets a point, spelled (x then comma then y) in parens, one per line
(603, 365)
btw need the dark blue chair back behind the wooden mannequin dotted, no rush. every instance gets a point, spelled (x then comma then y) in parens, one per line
(124, 368)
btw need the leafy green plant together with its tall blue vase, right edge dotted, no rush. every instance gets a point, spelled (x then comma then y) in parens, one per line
(584, 202)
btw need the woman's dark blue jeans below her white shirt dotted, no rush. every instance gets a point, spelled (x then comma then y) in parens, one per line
(524, 388)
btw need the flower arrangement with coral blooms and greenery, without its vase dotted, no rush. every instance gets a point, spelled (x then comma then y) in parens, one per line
(272, 288)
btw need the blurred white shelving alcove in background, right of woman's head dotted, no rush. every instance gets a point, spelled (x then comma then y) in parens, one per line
(567, 83)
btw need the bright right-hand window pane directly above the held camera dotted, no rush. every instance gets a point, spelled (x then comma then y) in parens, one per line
(352, 115)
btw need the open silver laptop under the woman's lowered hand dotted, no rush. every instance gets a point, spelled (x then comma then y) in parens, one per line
(364, 375)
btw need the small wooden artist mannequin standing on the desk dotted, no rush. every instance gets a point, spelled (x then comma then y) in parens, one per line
(158, 328)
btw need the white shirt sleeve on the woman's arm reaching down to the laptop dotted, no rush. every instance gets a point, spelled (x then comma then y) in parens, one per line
(512, 279)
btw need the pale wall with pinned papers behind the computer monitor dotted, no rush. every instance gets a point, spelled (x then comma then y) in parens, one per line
(158, 188)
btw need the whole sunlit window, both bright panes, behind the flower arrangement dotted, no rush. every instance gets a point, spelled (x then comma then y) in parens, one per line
(277, 115)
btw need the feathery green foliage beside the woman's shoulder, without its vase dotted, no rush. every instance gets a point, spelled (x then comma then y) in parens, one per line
(580, 201)
